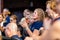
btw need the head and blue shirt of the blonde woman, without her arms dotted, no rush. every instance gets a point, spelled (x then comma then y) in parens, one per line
(38, 17)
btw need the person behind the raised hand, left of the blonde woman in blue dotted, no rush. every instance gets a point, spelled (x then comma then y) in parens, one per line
(27, 13)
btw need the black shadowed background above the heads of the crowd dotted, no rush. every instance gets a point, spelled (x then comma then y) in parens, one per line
(20, 5)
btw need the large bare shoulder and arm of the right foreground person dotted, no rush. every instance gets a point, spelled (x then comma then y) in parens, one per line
(53, 33)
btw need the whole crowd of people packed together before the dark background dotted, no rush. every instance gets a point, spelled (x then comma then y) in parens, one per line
(35, 25)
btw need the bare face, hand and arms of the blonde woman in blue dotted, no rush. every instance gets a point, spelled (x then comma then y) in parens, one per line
(25, 25)
